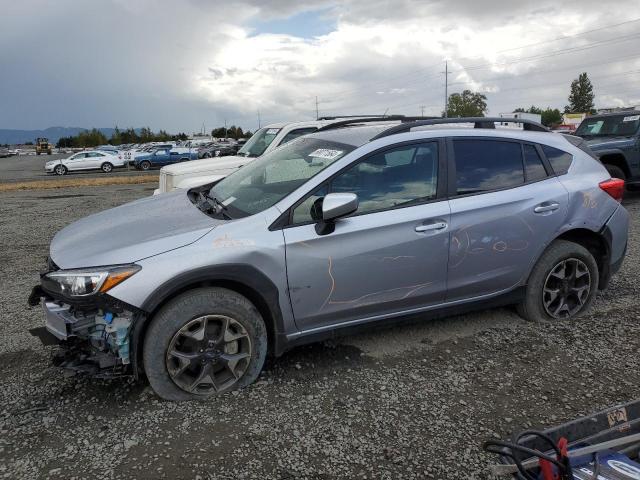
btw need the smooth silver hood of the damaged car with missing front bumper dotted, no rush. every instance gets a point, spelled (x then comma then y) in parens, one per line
(131, 232)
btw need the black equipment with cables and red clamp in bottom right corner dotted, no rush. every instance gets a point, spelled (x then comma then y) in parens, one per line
(603, 446)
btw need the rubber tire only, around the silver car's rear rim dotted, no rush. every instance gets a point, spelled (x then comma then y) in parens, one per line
(532, 307)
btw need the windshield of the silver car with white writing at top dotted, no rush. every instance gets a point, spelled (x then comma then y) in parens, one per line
(264, 182)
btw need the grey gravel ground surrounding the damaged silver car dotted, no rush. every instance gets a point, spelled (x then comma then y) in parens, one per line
(410, 402)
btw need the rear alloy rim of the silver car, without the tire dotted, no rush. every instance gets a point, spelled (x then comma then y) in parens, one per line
(566, 288)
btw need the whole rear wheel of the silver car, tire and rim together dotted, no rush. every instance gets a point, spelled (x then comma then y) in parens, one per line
(562, 285)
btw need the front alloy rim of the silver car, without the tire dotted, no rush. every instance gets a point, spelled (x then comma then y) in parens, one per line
(208, 354)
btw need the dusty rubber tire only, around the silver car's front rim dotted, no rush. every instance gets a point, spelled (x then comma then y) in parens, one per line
(184, 309)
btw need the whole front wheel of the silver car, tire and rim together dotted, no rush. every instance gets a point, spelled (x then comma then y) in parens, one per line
(203, 343)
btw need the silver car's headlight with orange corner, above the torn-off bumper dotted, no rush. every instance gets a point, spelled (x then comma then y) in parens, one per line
(85, 282)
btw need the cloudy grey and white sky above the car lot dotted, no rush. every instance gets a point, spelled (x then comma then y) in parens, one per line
(178, 64)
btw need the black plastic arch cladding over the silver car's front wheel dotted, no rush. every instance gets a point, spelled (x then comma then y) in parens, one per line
(243, 279)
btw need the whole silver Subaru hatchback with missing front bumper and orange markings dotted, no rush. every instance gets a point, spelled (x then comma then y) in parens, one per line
(357, 223)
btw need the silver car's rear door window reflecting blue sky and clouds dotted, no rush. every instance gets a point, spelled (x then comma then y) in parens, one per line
(485, 165)
